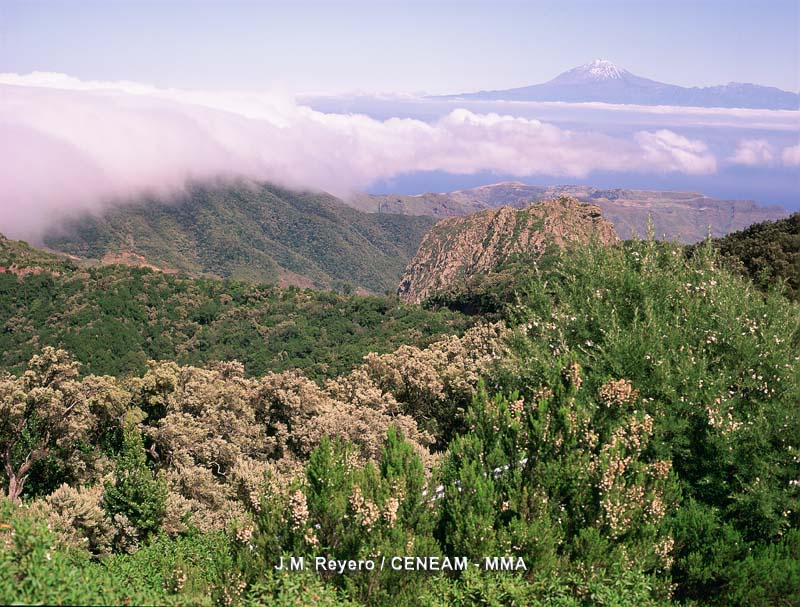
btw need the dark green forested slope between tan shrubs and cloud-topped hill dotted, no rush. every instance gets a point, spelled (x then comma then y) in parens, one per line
(113, 319)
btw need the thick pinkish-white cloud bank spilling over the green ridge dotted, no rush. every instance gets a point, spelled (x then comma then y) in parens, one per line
(69, 145)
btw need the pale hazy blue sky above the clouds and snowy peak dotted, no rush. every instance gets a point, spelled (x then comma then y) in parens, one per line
(399, 46)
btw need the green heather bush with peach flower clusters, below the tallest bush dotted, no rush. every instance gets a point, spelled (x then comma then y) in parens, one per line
(546, 482)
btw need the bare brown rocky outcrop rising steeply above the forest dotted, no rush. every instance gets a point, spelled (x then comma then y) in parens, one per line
(458, 247)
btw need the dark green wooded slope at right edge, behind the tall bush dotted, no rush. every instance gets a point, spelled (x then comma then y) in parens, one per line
(767, 252)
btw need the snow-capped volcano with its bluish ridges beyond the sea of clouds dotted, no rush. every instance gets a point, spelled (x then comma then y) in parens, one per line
(603, 81)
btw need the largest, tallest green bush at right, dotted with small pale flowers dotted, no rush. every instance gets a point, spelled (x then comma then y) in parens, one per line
(714, 363)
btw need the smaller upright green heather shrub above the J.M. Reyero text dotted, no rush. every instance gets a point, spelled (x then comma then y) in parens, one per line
(344, 511)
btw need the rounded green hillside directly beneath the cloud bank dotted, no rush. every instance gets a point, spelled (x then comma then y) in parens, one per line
(256, 232)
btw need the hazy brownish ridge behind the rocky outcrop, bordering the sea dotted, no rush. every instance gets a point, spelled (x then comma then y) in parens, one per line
(682, 215)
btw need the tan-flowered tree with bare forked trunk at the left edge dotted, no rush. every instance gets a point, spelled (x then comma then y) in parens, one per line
(44, 409)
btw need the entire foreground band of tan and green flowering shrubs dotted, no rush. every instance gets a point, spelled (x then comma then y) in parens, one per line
(630, 429)
